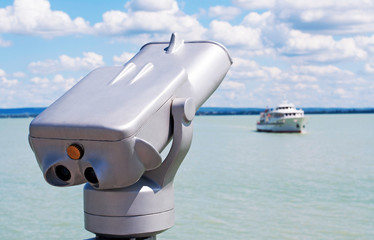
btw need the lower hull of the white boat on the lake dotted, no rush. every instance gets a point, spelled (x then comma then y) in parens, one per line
(285, 125)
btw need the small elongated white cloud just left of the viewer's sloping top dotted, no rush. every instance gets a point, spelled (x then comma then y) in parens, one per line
(89, 61)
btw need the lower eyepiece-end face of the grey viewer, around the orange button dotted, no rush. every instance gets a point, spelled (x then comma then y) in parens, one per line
(116, 164)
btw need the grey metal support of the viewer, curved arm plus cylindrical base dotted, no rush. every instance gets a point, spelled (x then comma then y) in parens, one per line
(146, 207)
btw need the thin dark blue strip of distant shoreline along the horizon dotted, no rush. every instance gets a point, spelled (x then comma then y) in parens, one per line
(204, 111)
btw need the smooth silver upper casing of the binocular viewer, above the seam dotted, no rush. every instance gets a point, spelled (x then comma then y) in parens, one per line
(113, 103)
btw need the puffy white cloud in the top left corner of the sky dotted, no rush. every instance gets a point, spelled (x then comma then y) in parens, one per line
(35, 17)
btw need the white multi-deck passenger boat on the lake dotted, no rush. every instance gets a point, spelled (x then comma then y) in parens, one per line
(284, 118)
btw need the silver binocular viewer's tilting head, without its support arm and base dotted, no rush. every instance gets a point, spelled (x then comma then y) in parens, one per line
(121, 116)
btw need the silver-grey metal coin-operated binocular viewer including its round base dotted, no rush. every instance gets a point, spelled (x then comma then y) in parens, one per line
(108, 131)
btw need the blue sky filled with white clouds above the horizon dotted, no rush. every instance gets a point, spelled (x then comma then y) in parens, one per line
(313, 53)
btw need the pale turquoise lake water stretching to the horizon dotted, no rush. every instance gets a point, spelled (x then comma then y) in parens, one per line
(235, 183)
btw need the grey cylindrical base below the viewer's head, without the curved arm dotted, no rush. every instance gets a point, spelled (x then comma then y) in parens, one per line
(141, 210)
